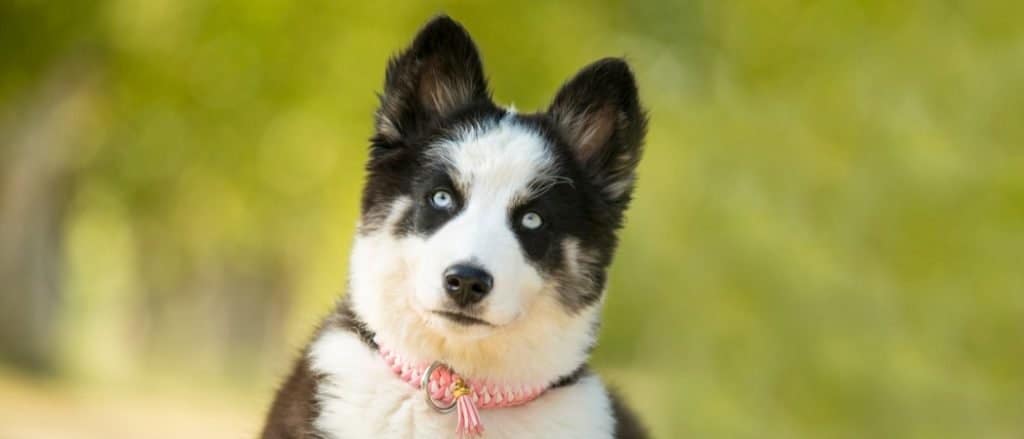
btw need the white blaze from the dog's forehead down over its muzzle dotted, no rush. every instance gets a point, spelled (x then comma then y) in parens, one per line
(495, 168)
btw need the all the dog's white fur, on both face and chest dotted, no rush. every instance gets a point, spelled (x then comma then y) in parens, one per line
(397, 282)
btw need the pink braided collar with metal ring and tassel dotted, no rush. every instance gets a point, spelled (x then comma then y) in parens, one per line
(447, 391)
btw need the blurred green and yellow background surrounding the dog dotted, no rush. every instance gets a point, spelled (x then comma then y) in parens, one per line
(828, 239)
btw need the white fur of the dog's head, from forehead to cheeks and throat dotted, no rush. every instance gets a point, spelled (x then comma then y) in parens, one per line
(397, 273)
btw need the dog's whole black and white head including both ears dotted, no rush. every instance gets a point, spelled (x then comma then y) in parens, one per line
(486, 235)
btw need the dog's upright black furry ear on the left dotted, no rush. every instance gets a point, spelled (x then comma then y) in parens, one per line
(439, 74)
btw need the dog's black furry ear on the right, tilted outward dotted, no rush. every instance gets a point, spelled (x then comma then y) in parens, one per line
(599, 113)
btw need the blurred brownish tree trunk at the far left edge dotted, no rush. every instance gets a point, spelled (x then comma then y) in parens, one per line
(37, 149)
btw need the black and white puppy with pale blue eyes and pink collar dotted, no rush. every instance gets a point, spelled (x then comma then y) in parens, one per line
(482, 253)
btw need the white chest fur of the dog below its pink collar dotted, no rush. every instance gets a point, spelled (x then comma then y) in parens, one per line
(361, 398)
